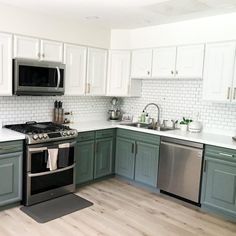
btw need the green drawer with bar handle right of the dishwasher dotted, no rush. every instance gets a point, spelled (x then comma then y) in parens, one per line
(220, 153)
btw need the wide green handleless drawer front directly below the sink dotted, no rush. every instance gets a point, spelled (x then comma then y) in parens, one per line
(139, 136)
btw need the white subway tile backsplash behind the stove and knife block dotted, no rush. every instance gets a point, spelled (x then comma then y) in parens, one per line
(19, 109)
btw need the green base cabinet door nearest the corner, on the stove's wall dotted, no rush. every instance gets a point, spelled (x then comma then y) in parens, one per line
(103, 157)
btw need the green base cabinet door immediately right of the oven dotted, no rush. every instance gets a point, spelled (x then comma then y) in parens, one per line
(84, 161)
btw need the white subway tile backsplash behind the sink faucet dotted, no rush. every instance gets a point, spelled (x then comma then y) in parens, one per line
(182, 98)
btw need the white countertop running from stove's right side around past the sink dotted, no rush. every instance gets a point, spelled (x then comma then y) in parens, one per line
(203, 137)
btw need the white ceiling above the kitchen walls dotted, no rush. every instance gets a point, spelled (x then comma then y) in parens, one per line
(127, 13)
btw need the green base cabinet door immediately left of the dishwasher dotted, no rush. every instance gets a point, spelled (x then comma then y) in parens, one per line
(146, 166)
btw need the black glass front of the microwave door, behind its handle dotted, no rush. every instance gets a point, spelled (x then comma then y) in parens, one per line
(34, 76)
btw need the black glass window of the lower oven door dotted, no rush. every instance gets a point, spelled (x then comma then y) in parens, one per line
(48, 182)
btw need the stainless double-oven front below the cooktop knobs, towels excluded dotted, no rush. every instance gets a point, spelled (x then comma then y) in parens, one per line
(43, 184)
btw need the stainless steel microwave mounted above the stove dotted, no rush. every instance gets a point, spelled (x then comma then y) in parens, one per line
(38, 78)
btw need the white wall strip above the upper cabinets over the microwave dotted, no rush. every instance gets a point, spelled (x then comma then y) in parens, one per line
(35, 24)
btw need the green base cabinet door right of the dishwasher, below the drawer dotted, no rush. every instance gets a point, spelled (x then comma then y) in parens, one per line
(219, 186)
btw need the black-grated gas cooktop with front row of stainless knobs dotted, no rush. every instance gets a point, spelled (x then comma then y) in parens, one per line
(41, 132)
